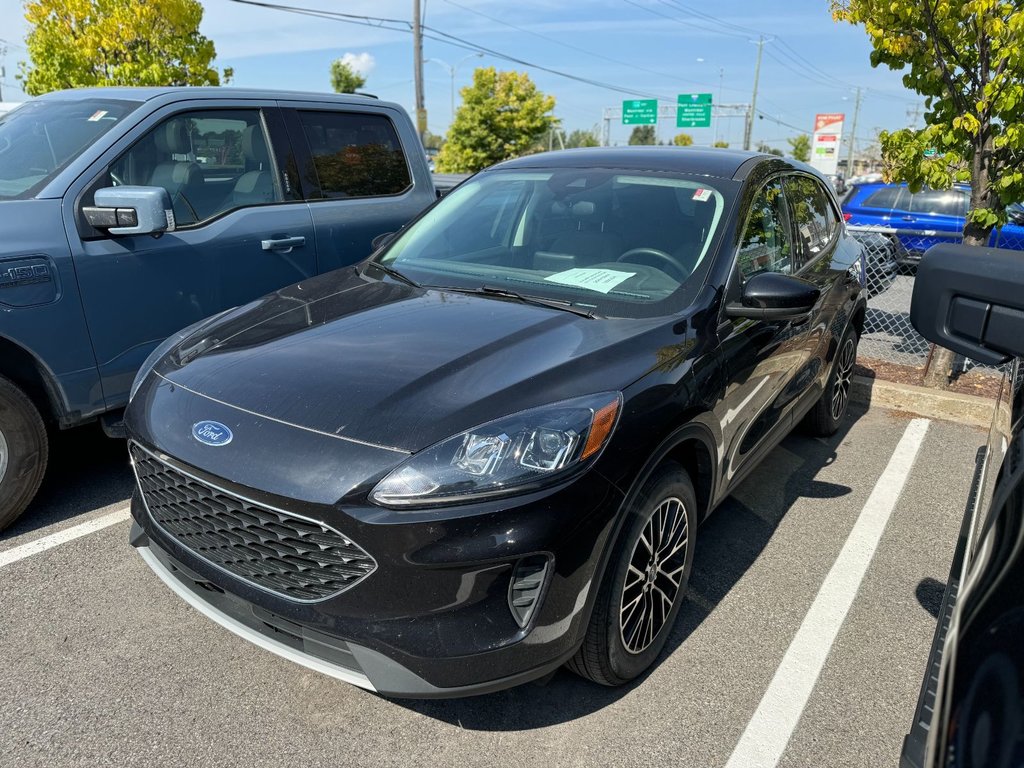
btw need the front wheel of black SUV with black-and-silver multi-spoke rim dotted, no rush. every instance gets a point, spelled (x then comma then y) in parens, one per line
(646, 583)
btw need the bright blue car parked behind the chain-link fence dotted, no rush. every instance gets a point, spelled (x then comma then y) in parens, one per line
(923, 219)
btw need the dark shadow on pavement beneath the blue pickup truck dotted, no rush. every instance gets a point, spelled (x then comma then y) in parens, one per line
(87, 472)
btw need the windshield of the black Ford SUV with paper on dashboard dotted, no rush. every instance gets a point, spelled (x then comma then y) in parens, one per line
(615, 243)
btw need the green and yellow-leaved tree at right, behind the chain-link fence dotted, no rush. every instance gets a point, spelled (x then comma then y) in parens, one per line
(967, 60)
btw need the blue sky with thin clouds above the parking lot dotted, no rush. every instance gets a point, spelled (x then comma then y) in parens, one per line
(648, 48)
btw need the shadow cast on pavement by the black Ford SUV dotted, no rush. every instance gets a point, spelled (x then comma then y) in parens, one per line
(730, 543)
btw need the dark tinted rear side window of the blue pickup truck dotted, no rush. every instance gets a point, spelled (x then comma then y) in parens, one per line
(355, 155)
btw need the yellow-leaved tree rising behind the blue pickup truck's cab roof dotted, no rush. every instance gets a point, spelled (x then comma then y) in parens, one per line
(80, 44)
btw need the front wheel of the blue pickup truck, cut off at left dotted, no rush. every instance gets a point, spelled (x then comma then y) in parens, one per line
(23, 452)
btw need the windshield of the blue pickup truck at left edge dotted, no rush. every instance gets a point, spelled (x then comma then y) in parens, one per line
(39, 139)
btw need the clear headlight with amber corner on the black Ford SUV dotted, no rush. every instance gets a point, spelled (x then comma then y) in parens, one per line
(513, 455)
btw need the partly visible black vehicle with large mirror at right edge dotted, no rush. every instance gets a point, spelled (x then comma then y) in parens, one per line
(971, 709)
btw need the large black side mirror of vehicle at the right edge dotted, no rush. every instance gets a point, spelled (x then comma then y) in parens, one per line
(971, 301)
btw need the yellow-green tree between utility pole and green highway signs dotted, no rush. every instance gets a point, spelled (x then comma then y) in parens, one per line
(502, 116)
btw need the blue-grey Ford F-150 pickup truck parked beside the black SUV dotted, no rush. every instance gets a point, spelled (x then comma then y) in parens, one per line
(130, 214)
